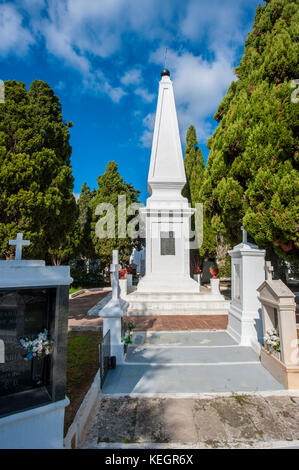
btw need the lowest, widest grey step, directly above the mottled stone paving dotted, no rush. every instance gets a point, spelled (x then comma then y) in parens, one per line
(189, 378)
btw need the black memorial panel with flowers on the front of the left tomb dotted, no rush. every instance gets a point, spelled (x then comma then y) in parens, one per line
(25, 312)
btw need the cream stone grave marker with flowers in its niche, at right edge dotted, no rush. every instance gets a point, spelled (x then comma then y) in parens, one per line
(280, 352)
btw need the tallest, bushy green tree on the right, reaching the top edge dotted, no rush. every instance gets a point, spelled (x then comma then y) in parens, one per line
(252, 167)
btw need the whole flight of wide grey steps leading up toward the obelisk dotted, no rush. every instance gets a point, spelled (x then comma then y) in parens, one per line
(194, 362)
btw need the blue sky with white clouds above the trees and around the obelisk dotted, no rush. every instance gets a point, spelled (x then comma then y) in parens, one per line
(103, 59)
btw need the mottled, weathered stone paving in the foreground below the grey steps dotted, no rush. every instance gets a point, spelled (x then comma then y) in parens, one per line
(239, 421)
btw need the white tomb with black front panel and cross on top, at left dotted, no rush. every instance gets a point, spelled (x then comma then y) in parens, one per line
(33, 298)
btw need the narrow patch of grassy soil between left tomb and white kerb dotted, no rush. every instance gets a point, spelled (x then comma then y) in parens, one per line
(82, 366)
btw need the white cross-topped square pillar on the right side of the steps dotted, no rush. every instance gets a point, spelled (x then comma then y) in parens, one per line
(248, 272)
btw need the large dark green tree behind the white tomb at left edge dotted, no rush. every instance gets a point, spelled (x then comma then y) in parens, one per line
(36, 180)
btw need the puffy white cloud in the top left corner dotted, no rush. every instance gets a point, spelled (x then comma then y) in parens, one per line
(15, 38)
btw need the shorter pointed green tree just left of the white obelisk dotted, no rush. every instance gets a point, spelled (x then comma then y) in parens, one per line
(110, 186)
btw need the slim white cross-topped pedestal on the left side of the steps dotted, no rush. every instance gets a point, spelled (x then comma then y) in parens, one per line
(113, 312)
